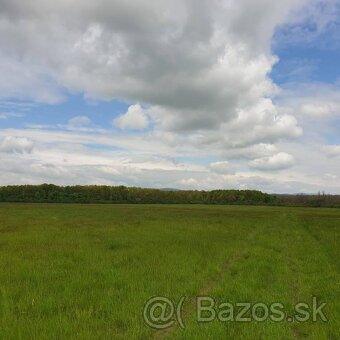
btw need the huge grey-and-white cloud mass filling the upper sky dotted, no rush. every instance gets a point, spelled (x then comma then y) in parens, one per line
(196, 65)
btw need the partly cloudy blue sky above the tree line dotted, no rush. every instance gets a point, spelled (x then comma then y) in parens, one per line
(186, 94)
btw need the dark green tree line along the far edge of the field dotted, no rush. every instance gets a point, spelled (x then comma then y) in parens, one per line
(49, 193)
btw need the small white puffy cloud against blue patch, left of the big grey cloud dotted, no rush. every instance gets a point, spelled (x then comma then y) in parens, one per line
(135, 118)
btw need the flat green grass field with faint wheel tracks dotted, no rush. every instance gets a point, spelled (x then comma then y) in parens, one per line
(86, 271)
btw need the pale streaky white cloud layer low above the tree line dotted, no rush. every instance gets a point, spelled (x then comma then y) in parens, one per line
(65, 157)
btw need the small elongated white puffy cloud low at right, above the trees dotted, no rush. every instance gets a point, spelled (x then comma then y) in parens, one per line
(278, 161)
